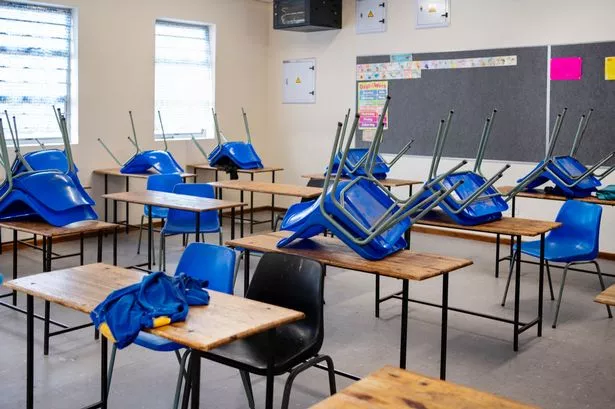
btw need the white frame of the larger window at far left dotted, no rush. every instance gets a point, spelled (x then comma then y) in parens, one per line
(70, 109)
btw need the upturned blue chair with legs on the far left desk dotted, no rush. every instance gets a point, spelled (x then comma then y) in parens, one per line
(43, 191)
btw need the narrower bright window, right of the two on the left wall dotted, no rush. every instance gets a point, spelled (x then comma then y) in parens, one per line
(184, 80)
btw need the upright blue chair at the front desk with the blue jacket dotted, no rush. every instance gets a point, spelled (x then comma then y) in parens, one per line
(210, 262)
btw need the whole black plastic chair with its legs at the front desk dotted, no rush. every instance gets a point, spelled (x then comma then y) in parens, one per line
(292, 282)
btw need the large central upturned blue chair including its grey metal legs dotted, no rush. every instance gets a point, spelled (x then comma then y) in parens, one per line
(362, 212)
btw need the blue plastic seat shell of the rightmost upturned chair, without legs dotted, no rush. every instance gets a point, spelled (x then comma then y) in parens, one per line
(572, 168)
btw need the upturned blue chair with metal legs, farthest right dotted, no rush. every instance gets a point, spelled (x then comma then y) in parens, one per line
(571, 177)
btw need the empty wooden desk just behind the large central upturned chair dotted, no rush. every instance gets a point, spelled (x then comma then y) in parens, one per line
(280, 189)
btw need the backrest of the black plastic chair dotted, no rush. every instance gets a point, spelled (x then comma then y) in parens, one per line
(293, 282)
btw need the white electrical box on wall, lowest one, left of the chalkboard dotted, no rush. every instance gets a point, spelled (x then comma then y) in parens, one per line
(299, 86)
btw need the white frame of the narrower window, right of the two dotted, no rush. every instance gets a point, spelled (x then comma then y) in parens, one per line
(170, 136)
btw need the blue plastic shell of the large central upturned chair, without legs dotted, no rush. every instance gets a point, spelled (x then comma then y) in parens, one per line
(366, 202)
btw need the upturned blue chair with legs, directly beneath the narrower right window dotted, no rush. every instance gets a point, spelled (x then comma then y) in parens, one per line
(144, 161)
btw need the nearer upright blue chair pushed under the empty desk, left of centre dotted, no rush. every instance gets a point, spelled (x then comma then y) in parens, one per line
(184, 222)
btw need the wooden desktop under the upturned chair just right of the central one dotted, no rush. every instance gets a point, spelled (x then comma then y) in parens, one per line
(509, 226)
